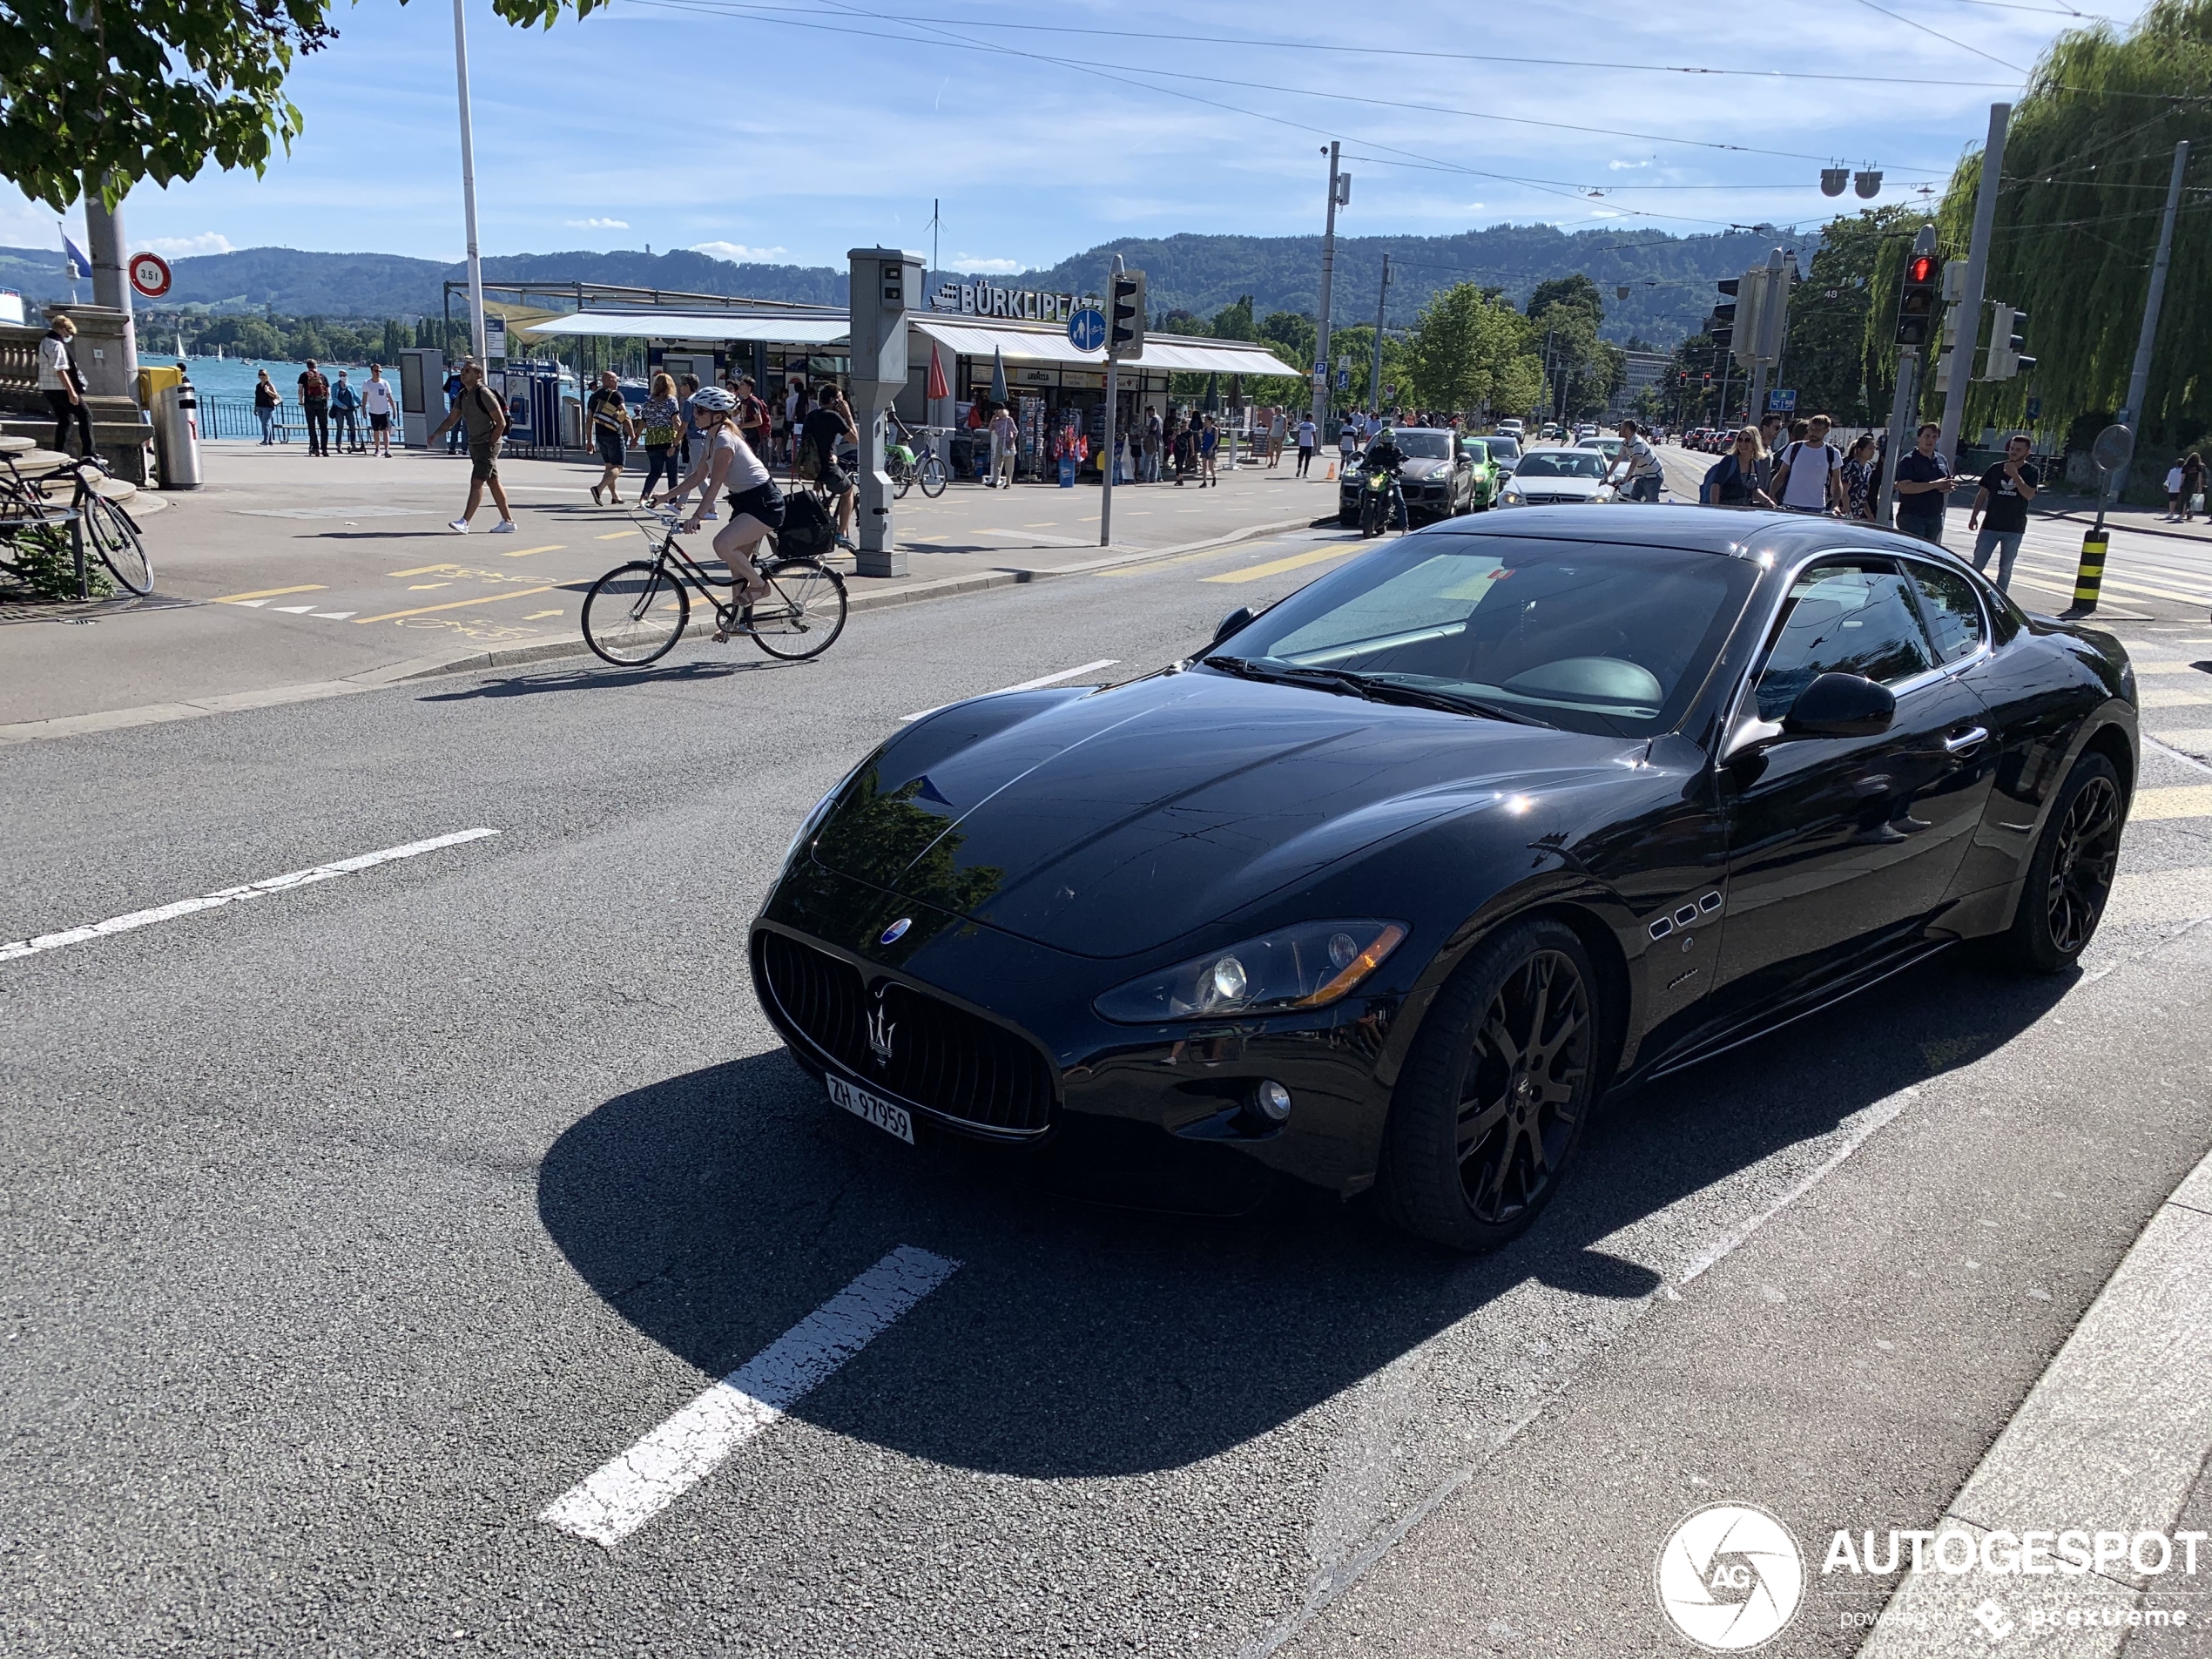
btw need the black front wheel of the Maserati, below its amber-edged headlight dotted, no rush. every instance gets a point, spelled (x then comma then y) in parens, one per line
(1494, 1098)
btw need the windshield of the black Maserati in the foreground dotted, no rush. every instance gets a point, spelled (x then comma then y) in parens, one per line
(1600, 638)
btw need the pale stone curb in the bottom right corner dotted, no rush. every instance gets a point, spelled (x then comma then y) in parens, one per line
(2111, 1439)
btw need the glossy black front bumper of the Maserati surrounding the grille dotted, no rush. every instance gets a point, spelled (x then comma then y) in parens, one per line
(1134, 1094)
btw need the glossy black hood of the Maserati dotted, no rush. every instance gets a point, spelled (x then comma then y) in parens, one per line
(1116, 822)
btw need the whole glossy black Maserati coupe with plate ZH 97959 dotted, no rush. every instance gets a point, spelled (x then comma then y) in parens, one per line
(1388, 884)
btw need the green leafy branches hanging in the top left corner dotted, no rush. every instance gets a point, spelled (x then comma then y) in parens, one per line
(158, 90)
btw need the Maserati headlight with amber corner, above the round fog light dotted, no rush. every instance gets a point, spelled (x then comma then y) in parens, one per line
(1300, 968)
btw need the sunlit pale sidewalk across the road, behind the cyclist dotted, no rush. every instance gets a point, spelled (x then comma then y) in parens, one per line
(291, 574)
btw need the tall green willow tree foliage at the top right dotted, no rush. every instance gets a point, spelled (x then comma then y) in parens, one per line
(2087, 163)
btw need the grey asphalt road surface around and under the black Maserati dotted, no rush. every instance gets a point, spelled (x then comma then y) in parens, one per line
(355, 1222)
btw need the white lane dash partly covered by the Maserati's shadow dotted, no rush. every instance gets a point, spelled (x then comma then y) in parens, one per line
(638, 1485)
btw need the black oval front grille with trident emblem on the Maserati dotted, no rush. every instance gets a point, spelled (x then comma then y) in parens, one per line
(946, 1061)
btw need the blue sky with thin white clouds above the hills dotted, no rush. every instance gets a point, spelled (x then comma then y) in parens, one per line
(795, 132)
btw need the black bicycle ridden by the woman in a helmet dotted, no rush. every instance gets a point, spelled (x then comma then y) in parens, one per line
(636, 614)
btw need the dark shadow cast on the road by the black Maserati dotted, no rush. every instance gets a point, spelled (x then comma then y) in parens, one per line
(718, 1209)
